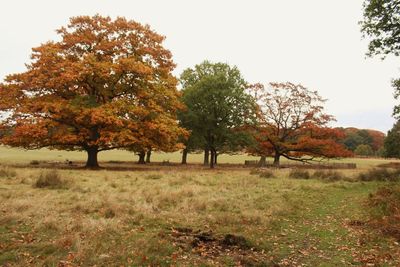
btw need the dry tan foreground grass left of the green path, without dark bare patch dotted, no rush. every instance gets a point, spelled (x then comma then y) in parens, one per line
(115, 217)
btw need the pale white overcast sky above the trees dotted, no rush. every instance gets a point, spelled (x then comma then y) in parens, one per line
(314, 42)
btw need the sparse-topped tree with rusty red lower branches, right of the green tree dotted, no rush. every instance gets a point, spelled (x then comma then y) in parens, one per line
(293, 124)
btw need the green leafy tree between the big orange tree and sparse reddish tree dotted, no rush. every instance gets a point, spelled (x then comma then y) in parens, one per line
(218, 108)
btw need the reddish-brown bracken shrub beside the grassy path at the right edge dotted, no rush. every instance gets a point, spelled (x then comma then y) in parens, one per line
(385, 210)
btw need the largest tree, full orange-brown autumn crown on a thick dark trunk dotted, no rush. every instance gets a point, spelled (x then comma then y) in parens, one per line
(106, 84)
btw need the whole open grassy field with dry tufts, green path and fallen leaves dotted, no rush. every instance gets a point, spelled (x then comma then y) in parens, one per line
(184, 217)
